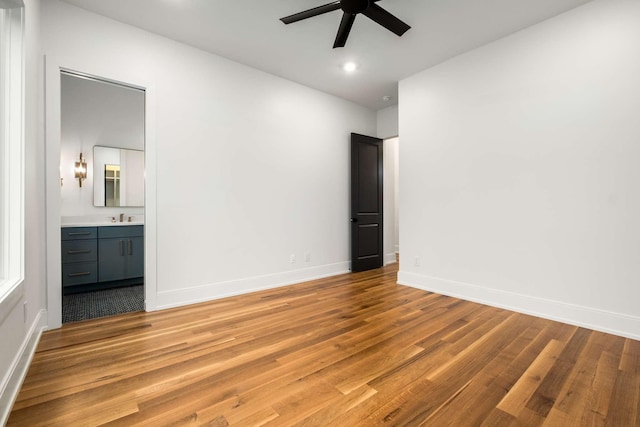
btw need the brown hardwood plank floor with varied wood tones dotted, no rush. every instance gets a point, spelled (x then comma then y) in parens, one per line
(350, 350)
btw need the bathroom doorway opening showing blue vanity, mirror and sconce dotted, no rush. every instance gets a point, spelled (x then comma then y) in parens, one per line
(101, 197)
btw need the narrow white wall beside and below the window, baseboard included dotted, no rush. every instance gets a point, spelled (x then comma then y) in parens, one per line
(19, 332)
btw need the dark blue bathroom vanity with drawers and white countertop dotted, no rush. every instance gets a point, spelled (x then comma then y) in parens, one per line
(100, 257)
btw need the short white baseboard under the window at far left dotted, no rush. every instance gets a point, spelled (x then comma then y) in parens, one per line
(20, 366)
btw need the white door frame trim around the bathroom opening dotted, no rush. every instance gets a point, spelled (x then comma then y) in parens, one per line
(107, 71)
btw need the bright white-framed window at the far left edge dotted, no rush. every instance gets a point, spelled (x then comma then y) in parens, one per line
(11, 145)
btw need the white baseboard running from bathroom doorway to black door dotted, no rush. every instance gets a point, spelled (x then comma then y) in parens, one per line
(214, 291)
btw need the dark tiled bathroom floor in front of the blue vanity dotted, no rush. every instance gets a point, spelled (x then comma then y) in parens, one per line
(107, 302)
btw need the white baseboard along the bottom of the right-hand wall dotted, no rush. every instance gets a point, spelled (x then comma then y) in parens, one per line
(591, 318)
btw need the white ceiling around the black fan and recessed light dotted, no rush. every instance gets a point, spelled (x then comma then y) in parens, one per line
(250, 32)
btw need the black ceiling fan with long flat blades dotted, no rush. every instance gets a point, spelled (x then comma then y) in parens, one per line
(351, 8)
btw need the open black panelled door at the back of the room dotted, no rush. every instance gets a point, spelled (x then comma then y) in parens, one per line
(366, 202)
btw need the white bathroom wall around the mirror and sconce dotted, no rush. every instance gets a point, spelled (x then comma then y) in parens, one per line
(95, 113)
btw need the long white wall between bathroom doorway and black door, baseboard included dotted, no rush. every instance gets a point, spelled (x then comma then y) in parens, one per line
(250, 167)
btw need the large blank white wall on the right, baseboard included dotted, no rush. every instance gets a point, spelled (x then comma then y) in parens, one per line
(520, 180)
